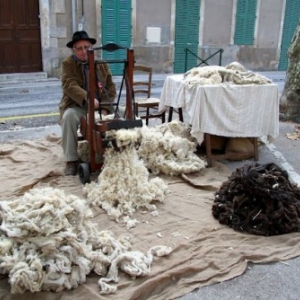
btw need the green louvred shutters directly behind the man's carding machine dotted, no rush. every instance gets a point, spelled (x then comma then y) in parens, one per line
(116, 28)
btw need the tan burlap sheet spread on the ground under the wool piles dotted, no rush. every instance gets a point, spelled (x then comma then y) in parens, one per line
(205, 252)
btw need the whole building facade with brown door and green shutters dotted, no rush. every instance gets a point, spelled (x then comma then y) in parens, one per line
(169, 35)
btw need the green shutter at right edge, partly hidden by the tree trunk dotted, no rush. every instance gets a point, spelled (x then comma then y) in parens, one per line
(291, 19)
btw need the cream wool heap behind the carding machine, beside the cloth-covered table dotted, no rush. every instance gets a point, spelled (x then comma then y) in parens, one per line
(168, 148)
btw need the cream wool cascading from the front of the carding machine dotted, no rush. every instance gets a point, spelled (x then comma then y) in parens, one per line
(123, 185)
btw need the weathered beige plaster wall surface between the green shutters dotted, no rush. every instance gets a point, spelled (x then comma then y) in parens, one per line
(153, 25)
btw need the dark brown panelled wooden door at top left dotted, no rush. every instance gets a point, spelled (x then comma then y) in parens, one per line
(20, 37)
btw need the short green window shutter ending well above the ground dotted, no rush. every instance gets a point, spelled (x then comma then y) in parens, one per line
(245, 22)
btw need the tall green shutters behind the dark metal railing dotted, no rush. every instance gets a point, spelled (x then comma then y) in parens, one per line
(186, 34)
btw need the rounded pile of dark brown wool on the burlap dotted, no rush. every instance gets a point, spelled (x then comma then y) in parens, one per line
(259, 199)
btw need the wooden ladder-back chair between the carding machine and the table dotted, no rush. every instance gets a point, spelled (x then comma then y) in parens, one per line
(142, 85)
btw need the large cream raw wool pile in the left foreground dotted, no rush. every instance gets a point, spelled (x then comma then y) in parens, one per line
(49, 242)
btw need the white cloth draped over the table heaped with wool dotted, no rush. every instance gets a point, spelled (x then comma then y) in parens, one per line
(227, 110)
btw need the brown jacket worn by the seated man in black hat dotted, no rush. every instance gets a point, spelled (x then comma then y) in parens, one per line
(73, 83)
